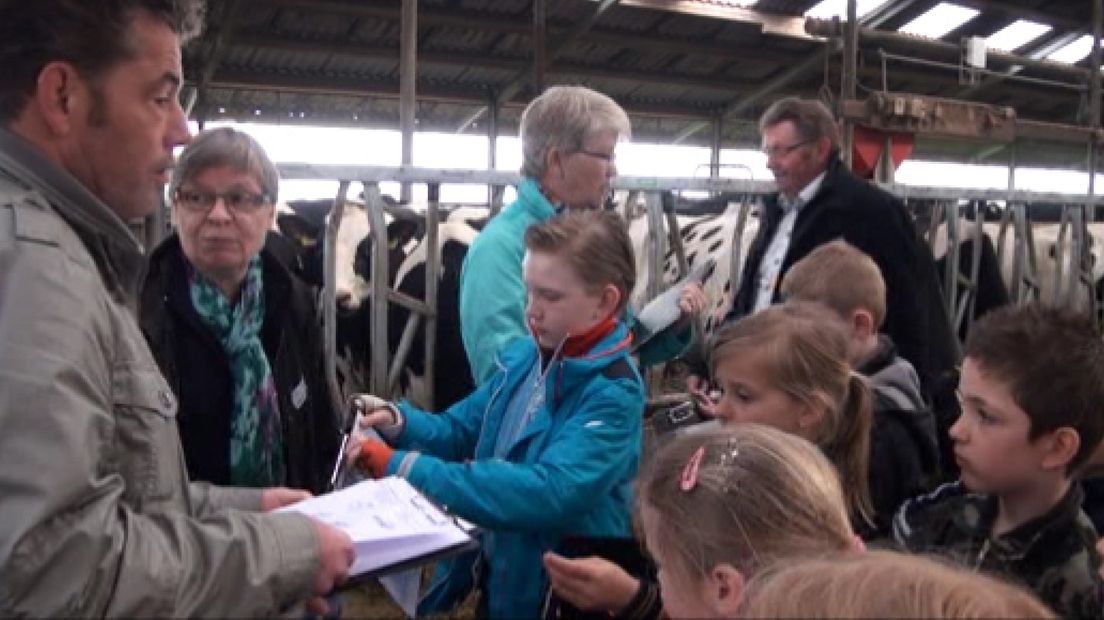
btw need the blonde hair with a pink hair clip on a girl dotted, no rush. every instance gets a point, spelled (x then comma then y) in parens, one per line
(759, 495)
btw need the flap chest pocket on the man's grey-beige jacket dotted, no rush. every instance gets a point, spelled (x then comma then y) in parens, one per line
(147, 444)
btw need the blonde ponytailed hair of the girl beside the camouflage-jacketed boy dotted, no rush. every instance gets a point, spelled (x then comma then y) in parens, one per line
(803, 347)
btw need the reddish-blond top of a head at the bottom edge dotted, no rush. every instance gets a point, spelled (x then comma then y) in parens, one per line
(880, 584)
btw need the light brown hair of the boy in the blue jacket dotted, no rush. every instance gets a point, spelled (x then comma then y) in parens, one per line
(597, 245)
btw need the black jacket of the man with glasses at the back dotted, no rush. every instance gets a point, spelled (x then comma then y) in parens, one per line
(877, 223)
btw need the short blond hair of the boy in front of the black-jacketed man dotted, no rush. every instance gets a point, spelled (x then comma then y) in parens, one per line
(842, 277)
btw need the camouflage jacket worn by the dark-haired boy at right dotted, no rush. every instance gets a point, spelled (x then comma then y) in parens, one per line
(1054, 555)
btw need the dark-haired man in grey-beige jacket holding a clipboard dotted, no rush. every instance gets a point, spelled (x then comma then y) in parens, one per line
(98, 517)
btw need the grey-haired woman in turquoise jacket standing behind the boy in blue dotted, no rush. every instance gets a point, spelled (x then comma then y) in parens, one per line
(569, 136)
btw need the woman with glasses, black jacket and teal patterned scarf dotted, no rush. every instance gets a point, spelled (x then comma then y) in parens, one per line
(233, 332)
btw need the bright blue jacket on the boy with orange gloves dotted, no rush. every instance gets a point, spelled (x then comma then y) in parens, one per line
(569, 473)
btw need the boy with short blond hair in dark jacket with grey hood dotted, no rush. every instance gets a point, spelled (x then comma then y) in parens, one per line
(904, 447)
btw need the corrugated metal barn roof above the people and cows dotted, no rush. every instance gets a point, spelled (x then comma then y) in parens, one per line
(341, 59)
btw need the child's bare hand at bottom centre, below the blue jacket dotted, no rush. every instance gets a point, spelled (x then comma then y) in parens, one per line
(591, 584)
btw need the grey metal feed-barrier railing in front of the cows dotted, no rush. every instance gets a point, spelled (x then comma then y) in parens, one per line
(661, 212)
